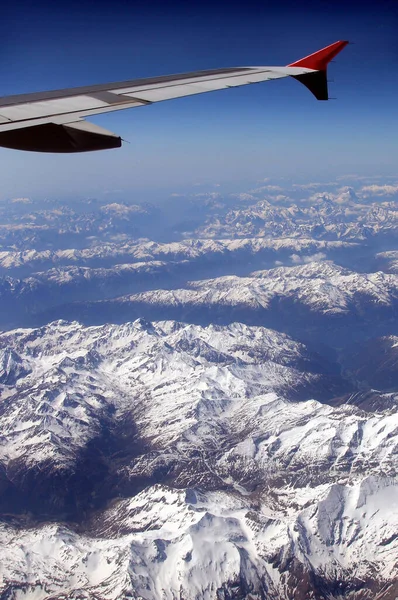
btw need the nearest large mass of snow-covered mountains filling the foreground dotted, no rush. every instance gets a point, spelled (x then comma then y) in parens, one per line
(162, 460)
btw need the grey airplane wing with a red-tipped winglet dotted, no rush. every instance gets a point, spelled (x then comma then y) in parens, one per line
(54, 121)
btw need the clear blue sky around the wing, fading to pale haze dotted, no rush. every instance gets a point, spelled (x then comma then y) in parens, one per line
(235, 136)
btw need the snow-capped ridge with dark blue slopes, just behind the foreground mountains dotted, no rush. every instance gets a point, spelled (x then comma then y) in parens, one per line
(317, 301)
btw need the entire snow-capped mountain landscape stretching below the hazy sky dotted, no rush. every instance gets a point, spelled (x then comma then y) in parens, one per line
(216, 414)
